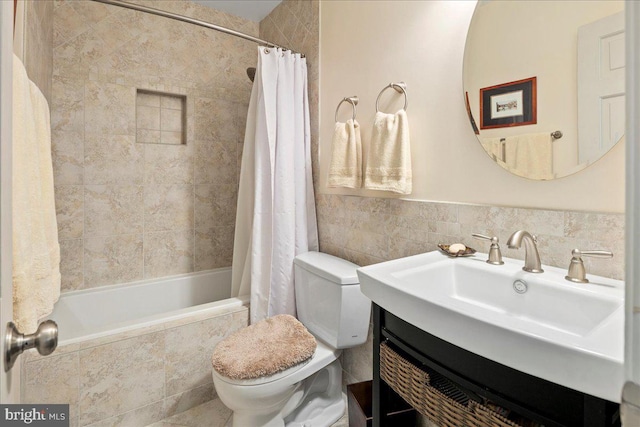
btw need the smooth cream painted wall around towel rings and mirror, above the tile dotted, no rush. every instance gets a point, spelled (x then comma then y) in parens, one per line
(367, 44)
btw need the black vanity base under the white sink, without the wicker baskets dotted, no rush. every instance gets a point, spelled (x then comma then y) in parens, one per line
(523, 399)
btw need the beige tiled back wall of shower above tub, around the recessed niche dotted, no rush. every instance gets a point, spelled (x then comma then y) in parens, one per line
(129, 210)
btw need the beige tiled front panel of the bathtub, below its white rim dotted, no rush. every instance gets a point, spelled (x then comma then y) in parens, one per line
(132, 378)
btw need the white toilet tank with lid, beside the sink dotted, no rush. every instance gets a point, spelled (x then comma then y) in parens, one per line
(329, 301)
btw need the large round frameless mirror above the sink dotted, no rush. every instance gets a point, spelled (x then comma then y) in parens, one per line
(544, 83)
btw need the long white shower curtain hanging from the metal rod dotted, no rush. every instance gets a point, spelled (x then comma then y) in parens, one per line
(276, 217)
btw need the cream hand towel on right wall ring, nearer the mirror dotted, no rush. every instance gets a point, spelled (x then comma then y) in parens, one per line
(389, 156)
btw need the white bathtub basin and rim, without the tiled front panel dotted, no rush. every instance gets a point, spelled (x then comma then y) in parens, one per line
(94, 313)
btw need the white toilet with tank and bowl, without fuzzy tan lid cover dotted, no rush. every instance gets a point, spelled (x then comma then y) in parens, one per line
(332, 308)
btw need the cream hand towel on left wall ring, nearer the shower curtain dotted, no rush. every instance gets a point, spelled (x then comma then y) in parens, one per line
(346, 156)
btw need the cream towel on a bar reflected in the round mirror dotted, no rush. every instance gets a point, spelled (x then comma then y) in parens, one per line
(530, 155)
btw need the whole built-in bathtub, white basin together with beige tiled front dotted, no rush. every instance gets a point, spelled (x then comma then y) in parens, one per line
(136, 353)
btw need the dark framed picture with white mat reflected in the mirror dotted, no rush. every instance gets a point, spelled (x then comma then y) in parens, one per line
(509, 104)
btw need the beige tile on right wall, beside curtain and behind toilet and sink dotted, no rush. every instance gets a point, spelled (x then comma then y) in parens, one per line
(370, 230)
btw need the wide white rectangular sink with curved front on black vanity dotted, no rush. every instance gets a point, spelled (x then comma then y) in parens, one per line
(567, 333)
